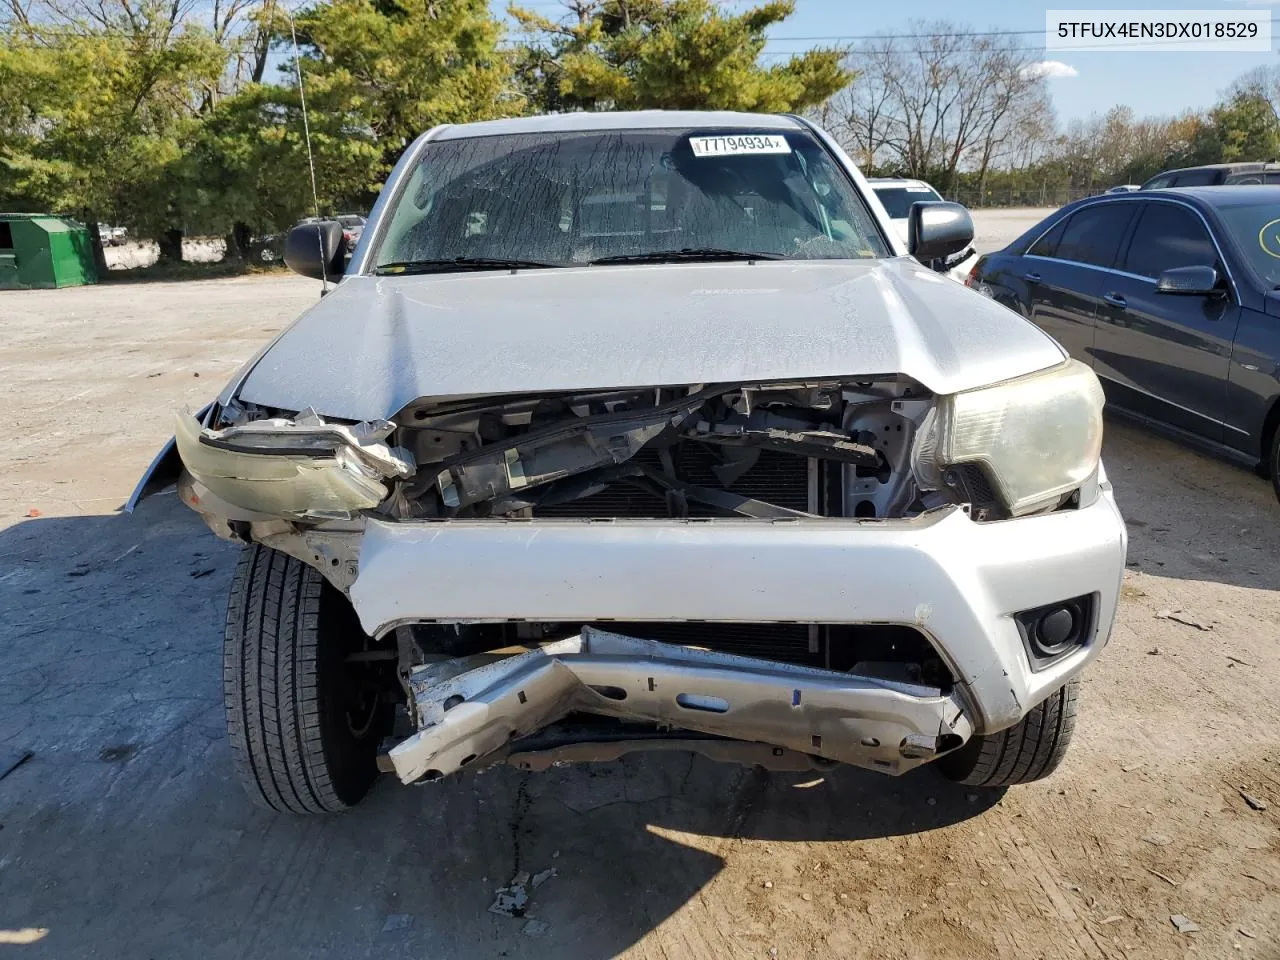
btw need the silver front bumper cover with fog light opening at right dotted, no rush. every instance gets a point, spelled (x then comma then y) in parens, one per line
(958, 582)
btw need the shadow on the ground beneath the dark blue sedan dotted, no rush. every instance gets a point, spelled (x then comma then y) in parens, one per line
(1191, 516)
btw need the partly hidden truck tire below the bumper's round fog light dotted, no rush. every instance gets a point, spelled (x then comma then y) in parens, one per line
(1030, 751)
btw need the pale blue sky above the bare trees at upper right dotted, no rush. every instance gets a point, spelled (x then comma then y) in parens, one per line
(1149, 83)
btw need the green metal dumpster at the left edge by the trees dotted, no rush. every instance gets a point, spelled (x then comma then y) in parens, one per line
(44, 252)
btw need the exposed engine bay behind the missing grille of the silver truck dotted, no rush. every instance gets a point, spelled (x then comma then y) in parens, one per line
(769, 452)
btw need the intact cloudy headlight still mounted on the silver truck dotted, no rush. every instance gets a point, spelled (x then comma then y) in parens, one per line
(1036, 438)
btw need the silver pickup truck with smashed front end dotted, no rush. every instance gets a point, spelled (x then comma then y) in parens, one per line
(648, 432)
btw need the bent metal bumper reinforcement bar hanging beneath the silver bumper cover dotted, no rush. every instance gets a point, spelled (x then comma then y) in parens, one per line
(472, 708)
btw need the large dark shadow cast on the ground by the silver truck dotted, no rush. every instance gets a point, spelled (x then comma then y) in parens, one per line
(126, 831)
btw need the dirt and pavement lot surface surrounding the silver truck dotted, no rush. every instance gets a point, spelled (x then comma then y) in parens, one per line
(125, 834)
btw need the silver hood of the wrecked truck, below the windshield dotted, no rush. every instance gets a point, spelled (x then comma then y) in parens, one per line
(377, 344)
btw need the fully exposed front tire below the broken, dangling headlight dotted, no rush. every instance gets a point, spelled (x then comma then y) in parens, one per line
(304, 724)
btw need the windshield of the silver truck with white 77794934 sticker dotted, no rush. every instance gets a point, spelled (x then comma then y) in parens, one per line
(570, 200)
